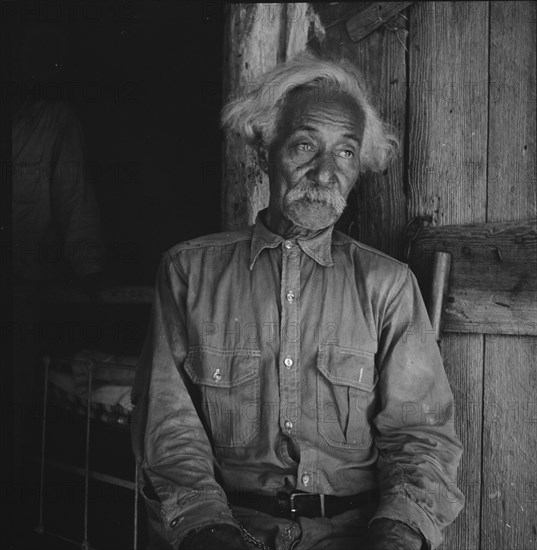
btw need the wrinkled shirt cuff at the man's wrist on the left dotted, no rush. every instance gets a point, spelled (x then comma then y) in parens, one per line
(173, 523)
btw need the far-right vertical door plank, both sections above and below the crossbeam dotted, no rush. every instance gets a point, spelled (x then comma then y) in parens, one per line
(509, 500)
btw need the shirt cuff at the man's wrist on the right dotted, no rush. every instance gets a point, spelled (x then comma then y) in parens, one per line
(401, 508)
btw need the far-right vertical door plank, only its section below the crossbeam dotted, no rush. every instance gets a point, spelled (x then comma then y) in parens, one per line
(509, 444)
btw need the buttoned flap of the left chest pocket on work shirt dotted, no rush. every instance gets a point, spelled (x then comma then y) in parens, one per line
(221, 368)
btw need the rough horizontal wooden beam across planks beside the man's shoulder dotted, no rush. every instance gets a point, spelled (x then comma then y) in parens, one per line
(493, 282)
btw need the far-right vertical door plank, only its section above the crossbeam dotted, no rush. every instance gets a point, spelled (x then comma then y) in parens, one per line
(512, 167)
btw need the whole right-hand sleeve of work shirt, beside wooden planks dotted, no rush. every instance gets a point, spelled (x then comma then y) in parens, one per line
(418, 449)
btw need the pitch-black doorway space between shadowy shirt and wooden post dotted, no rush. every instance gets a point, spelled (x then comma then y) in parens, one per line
(145, 81)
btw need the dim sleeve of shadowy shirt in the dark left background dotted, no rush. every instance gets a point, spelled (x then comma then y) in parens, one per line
(73, 202)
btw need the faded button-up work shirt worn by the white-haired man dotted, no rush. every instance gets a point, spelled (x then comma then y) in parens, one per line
(309, 362)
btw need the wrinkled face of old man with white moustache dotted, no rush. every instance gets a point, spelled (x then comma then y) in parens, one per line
(314, 159)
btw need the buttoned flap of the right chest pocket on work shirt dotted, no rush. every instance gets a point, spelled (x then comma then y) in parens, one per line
(347, 366)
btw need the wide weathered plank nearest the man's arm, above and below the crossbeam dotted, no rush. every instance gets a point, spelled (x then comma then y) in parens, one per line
(446, 178)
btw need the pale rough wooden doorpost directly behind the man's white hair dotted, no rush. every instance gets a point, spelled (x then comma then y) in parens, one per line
(258, 37)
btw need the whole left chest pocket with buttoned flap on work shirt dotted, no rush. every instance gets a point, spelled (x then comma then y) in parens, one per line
(230, 394)
